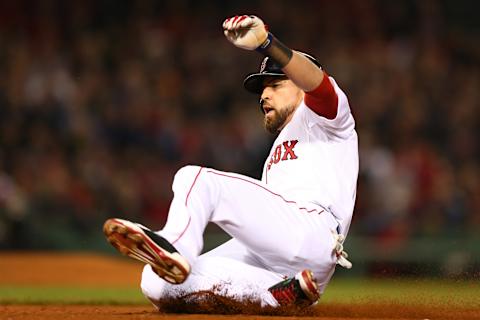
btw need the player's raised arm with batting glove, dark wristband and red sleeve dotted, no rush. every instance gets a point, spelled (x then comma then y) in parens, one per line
(250, 33)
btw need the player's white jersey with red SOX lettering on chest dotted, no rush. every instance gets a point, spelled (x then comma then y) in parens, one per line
(315, 160)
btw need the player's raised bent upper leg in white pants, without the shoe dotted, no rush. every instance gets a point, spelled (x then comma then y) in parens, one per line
(283, 235)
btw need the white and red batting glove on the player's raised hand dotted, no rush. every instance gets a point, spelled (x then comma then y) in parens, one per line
(246, 32)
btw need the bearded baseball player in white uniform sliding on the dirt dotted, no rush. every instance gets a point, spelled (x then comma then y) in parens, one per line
(288, 229)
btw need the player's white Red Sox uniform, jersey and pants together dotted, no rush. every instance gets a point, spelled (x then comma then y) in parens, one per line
(280, 225)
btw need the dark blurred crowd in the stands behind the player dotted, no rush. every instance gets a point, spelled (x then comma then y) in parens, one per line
(102, 101)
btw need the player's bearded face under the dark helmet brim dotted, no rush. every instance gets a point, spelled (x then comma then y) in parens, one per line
(280, 98)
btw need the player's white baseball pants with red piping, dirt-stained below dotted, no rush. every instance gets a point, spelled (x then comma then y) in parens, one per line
(273, 236)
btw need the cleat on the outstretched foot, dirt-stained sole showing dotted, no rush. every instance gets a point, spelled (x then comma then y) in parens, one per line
(140, 243)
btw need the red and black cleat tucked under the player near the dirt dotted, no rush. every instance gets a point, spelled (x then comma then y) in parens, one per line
(301, 289)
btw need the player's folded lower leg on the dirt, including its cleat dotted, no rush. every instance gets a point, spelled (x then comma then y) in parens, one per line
(231, 271)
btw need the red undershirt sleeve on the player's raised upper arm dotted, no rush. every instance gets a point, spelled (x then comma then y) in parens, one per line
(323, 100)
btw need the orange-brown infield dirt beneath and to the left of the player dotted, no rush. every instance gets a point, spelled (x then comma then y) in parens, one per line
(87, 270)
